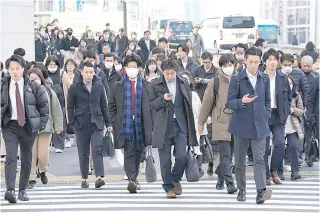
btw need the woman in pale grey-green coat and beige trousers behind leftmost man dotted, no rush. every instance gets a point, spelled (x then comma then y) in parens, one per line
(40, 152)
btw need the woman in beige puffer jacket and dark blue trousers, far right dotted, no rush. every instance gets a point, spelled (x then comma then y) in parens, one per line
(293, 130)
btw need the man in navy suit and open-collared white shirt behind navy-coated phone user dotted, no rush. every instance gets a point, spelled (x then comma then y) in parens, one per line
(280, 94)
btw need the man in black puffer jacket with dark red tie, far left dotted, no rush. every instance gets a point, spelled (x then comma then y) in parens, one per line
(24, 112)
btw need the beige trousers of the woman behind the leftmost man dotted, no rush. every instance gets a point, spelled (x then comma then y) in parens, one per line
(40, 154)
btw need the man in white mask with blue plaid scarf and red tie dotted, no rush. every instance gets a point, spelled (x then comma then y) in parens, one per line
(131, 118)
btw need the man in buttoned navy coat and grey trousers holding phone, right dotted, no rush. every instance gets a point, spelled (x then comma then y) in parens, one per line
(249, 98)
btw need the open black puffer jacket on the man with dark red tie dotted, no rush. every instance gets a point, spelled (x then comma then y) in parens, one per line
(35, 103)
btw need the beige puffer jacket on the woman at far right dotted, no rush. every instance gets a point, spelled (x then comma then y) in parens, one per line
(293, 123)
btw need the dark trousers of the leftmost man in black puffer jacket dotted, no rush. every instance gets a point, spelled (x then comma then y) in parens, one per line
(14, 135)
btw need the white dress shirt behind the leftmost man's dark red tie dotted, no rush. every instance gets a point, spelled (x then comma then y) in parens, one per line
(12, 94)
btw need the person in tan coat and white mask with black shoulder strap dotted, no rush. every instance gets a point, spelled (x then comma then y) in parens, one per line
(214, 102)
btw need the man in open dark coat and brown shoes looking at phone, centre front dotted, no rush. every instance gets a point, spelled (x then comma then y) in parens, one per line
(174, 125)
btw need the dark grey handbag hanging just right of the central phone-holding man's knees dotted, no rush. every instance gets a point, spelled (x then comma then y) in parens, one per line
(192, 167)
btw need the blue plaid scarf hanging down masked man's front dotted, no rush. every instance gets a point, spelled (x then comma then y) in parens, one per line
(132, 132)
